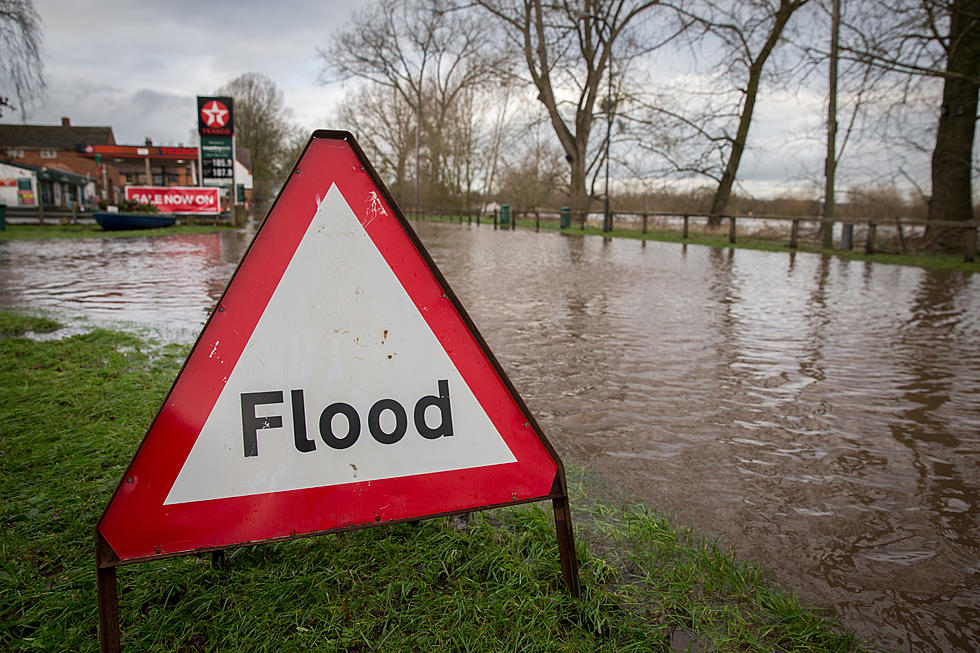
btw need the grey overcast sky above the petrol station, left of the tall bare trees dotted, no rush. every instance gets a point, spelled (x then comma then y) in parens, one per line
(138, 66)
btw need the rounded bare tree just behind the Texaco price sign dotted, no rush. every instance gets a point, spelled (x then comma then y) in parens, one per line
(263, 125)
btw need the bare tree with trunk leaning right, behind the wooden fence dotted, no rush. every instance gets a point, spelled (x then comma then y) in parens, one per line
(699, 124)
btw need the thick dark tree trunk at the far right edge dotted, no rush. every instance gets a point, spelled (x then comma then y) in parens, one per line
(952, 157)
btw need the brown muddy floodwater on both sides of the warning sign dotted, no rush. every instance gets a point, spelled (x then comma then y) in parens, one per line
(821, 416)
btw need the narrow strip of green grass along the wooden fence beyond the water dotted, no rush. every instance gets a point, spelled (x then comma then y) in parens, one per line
(719, 238)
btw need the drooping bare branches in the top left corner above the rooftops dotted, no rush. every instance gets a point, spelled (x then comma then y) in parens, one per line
(21, 68)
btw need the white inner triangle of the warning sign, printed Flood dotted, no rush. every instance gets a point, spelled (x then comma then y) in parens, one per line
(341, 328)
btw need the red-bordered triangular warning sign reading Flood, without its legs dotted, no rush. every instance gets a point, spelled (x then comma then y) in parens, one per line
(338, 384)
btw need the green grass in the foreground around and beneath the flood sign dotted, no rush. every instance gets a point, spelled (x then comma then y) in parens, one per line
(73, 411)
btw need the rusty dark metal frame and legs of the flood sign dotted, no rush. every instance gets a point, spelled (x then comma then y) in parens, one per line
(107, 560)
